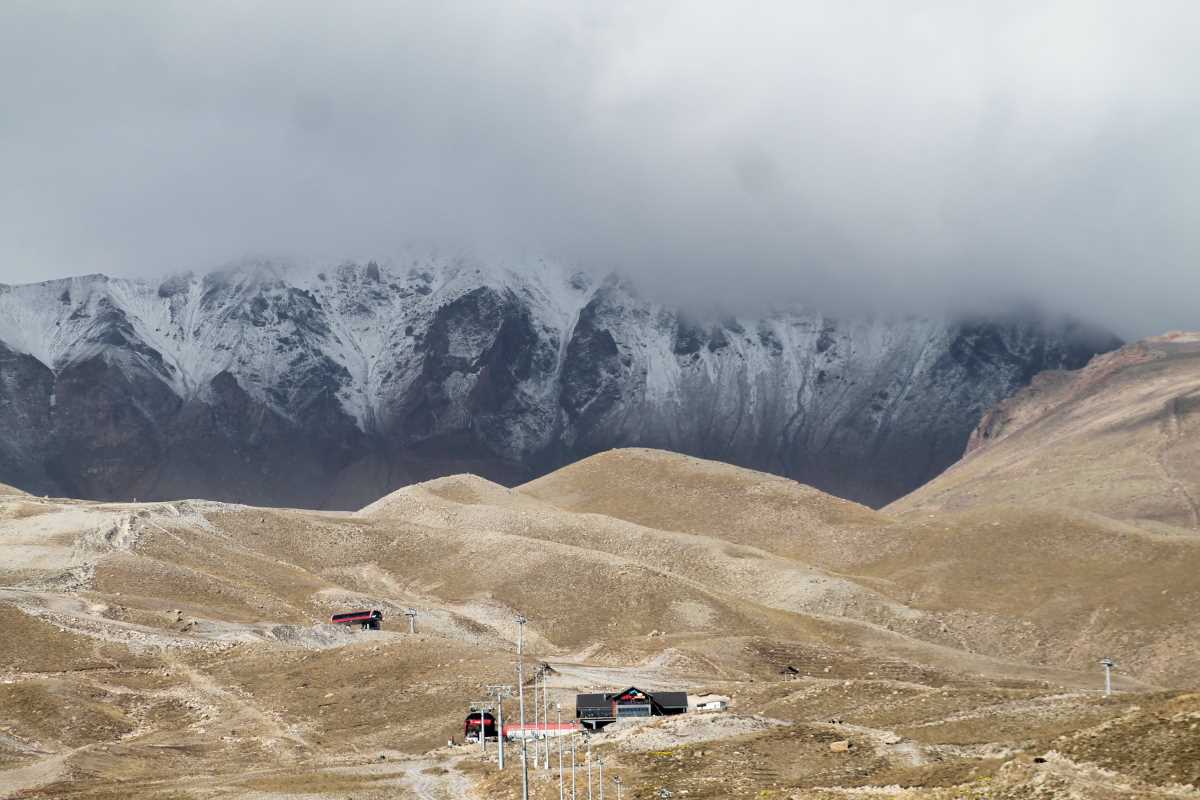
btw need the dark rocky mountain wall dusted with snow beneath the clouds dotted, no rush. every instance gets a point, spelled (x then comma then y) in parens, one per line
(328, 389)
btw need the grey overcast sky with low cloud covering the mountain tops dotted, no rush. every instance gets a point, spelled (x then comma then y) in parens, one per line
(850, 155)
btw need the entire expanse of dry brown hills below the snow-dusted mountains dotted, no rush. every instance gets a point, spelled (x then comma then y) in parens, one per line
(178, 651)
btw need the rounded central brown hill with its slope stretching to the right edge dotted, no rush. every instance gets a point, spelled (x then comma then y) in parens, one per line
(1048, 586)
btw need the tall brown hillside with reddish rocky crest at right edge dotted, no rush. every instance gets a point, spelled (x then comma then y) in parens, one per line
(1119, 438)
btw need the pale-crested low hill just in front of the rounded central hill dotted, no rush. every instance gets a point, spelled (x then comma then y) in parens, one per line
(587, 579)
